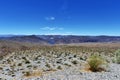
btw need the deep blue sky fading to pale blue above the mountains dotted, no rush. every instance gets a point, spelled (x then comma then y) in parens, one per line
(76, 17)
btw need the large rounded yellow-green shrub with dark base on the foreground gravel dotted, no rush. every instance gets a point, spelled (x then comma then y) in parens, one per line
(97, 63)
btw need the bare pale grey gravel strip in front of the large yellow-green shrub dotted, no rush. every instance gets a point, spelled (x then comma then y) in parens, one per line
(75, 74)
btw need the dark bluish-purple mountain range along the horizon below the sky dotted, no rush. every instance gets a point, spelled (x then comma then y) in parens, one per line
(59, 39)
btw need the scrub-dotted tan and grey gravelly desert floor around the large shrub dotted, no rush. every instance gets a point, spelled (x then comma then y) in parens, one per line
(60, 62)
